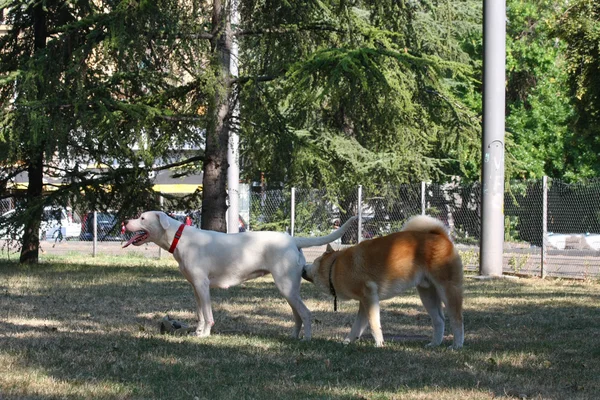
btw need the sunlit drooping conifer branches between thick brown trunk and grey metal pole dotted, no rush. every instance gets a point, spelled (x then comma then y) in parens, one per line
(355, 94)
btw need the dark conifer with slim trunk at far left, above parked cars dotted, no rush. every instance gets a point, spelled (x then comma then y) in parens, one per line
(90, 95)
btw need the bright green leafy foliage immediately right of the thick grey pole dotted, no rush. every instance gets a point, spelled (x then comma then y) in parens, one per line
(538, 108)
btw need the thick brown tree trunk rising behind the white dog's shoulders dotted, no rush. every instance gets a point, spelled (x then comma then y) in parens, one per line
(214, 183)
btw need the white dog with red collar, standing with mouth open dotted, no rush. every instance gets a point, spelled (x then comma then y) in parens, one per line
(213, 259)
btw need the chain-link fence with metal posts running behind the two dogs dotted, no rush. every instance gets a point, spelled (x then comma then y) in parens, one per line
(551, 227)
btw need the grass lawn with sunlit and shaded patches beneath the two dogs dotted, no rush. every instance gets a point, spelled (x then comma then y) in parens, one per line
(79, 327)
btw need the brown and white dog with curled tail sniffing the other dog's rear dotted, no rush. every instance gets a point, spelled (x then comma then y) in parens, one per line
(421, 255)
